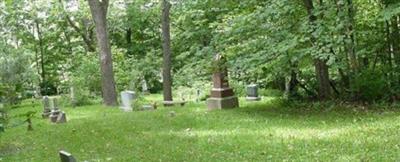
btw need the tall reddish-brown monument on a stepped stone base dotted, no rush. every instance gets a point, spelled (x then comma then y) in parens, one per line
(222, 96)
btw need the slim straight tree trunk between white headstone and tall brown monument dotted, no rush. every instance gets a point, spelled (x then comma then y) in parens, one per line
(167, 78)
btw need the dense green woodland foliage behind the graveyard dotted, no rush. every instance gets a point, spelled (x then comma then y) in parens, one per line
(280, 44)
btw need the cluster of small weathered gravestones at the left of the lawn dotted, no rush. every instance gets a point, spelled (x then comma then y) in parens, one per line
(52, 111)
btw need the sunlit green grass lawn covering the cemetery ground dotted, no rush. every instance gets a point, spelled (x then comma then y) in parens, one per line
(263, 131)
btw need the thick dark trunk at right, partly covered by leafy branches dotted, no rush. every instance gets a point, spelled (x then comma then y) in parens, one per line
(321, 68)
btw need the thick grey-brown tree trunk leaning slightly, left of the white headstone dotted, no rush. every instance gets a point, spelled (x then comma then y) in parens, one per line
(99, 14)
